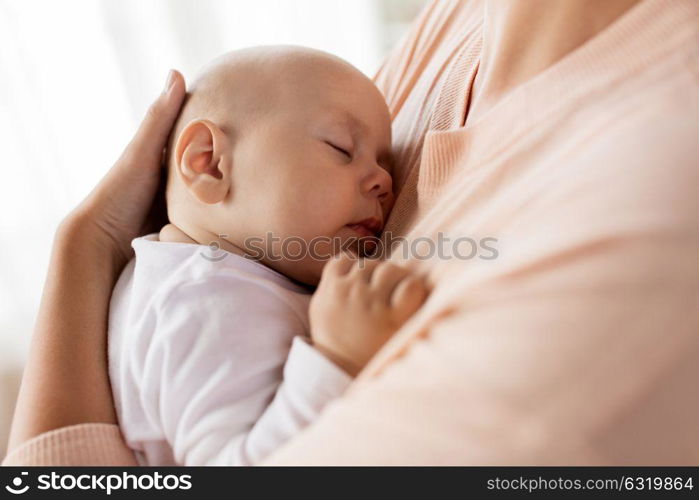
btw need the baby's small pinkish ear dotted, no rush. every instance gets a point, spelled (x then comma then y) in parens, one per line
(203, 158)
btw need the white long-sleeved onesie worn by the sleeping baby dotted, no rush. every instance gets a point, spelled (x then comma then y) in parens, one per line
(207, 357)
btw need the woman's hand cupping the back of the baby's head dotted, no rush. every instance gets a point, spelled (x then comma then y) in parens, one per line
(124, 204)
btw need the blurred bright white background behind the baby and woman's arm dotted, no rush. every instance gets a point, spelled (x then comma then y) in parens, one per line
(75, 79)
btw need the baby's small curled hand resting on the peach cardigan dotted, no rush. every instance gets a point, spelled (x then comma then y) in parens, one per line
(358, 305)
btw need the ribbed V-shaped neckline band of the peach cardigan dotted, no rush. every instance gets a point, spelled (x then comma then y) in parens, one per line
(635, 40)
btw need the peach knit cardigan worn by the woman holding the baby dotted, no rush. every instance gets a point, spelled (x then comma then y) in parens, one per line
(579, 344)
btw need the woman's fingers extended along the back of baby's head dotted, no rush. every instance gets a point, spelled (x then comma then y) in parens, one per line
(150, 140)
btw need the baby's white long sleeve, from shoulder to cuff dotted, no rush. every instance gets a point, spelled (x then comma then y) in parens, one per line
(212, 376)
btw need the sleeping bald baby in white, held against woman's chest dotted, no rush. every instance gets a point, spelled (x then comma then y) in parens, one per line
(279, 160)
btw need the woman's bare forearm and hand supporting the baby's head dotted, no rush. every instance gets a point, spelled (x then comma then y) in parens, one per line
(66, 381)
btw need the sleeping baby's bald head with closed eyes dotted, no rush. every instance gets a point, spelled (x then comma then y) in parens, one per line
(281, 145)
